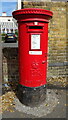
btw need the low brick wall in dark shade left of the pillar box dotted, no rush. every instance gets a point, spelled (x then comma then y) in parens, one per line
(10, 67)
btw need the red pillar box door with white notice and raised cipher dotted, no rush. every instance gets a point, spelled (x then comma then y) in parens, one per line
(38, 59)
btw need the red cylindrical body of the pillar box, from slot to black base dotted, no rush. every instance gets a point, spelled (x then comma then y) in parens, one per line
(33, 49)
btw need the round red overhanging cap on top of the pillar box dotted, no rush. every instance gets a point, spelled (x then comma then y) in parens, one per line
(32, 14)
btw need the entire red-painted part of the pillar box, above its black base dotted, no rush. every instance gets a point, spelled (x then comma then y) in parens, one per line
(32, 66)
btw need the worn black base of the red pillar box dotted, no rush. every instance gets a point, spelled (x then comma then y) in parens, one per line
(31, 96)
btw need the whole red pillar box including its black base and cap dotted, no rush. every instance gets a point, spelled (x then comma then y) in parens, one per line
(33, 45)
